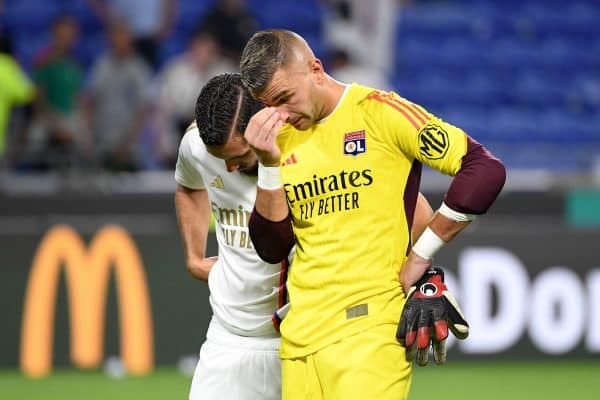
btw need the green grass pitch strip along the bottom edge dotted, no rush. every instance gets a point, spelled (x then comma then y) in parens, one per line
(459, 380)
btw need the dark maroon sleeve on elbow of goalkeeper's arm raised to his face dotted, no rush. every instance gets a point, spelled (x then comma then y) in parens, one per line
(272, 240)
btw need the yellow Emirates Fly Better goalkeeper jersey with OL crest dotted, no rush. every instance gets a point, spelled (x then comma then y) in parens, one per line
(351, 183)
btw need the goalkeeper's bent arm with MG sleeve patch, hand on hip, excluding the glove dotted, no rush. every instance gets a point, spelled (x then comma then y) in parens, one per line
(424, 138)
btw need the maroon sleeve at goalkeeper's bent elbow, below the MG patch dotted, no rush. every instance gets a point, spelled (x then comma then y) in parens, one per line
(478, 182)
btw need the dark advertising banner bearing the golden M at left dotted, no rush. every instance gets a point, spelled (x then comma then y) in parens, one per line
(70, 302)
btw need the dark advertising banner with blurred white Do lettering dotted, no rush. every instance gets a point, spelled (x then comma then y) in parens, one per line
(527, 294)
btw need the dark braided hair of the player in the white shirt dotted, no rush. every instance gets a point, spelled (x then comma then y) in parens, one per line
(224, 105)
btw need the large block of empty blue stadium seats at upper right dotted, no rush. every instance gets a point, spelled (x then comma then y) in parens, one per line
(521, 75)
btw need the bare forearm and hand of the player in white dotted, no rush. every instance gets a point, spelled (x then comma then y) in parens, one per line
(193, 216)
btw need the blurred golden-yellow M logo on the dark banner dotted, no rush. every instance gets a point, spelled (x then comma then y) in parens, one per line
(87, 274)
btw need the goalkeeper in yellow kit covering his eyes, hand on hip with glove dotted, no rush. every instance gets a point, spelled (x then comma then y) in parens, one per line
(339, 173)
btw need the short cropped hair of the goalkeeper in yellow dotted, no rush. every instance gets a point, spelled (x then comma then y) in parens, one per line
(264, 54)
